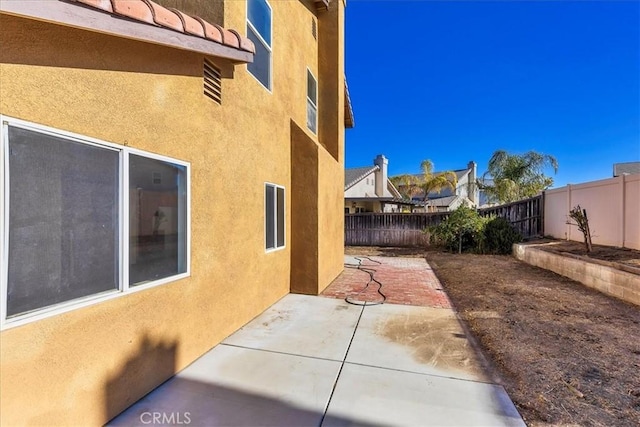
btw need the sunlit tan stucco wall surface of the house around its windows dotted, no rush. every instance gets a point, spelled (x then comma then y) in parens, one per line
(87, 365)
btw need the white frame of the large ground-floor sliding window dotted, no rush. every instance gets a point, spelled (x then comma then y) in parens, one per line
(123, 277)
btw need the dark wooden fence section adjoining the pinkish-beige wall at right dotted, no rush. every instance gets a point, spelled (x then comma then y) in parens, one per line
(527, 216)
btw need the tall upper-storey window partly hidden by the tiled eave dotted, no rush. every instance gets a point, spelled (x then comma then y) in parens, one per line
(259, 26)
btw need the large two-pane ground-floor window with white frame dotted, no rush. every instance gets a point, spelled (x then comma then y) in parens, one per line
(84, 220)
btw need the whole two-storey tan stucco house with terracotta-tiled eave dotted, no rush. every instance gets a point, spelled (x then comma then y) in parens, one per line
(125, 252)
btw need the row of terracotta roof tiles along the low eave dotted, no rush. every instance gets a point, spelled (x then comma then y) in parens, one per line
(152, 13)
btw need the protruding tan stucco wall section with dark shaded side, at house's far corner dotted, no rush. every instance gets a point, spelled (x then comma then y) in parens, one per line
(318, 253)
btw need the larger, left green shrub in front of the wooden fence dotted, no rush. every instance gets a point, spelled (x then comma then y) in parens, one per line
(463, 230)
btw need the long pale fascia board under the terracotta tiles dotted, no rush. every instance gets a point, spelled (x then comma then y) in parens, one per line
(68, 14)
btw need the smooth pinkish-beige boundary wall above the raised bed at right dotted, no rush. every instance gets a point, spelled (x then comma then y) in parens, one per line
(613, 210)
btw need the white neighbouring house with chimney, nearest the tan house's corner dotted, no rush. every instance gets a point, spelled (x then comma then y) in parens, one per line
(368, 189)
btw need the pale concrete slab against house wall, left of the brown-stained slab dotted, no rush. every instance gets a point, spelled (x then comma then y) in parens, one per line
(301, 325)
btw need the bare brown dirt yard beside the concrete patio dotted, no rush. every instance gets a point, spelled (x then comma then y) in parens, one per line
(567, 355)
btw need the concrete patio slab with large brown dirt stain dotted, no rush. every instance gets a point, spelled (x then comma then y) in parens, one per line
(417, 339)
